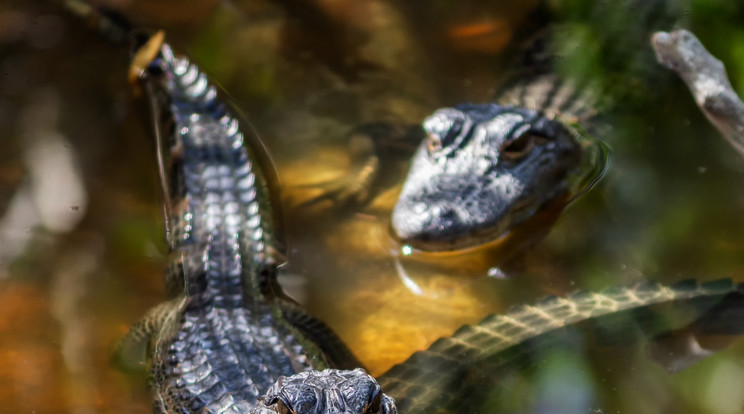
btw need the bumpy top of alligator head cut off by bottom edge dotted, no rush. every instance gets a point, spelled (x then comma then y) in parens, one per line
(326, 392)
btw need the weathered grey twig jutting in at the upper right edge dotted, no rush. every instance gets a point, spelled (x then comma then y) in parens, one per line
(706, 78)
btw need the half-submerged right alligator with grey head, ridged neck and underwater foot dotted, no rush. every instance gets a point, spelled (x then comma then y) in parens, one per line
(500, 162)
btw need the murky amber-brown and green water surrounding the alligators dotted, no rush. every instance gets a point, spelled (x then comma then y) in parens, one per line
(81, 250)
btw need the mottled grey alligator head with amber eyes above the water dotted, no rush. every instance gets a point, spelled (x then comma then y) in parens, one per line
(481, 170)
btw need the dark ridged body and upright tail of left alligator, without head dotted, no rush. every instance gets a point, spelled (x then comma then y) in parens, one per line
(226, 336)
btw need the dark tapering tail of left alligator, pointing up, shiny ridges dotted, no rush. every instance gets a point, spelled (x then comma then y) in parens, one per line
(219, 219)
